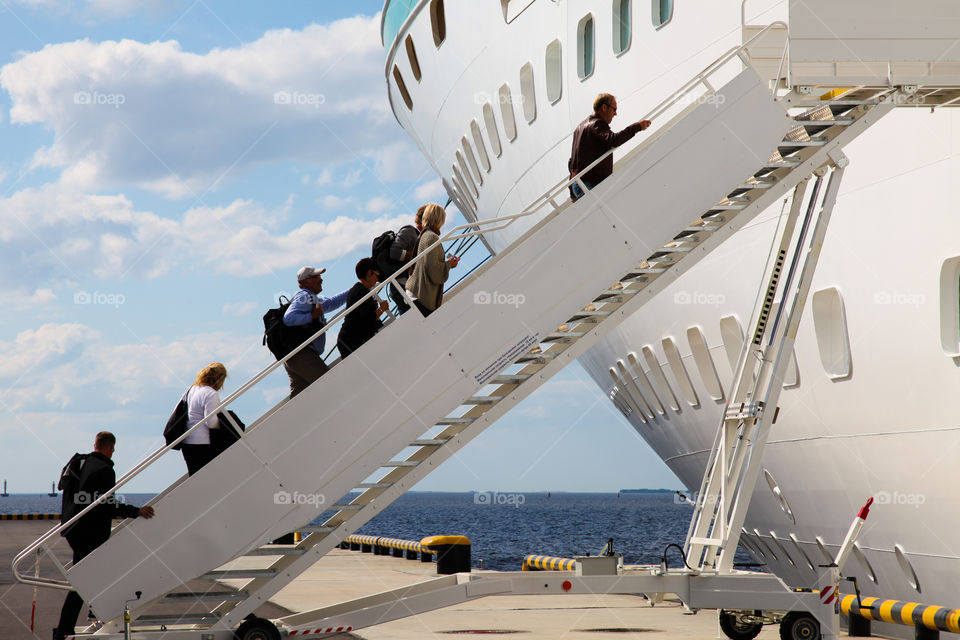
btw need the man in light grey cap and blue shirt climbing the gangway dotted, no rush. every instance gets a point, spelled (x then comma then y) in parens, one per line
(305, 317)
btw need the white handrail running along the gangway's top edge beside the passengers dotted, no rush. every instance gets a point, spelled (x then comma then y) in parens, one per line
(469, 230)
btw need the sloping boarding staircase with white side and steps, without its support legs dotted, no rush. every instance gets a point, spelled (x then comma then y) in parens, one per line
(409, 399)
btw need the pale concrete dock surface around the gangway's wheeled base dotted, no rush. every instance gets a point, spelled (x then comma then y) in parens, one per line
(343, 575)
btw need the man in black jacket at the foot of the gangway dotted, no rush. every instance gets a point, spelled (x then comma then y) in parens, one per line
(96, 477)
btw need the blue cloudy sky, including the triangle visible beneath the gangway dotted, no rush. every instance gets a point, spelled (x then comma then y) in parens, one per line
(156, 197)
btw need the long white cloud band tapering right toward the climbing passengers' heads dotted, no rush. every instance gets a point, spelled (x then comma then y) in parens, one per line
(56, 235)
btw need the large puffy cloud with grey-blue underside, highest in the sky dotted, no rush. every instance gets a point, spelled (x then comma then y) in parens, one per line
(179, 123)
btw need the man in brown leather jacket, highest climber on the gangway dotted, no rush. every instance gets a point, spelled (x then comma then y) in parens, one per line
(593, 138)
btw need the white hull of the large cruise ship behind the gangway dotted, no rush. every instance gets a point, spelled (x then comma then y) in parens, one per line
(877, 418)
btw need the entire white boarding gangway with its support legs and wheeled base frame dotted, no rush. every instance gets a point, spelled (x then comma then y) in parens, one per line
(419, 391)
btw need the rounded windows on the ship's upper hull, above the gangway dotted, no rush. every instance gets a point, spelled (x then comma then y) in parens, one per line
(467, 176)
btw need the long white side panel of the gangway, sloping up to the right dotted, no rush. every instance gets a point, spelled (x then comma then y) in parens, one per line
(374, 403)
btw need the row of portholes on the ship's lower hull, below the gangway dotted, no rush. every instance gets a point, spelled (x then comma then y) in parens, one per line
(639, 396)
